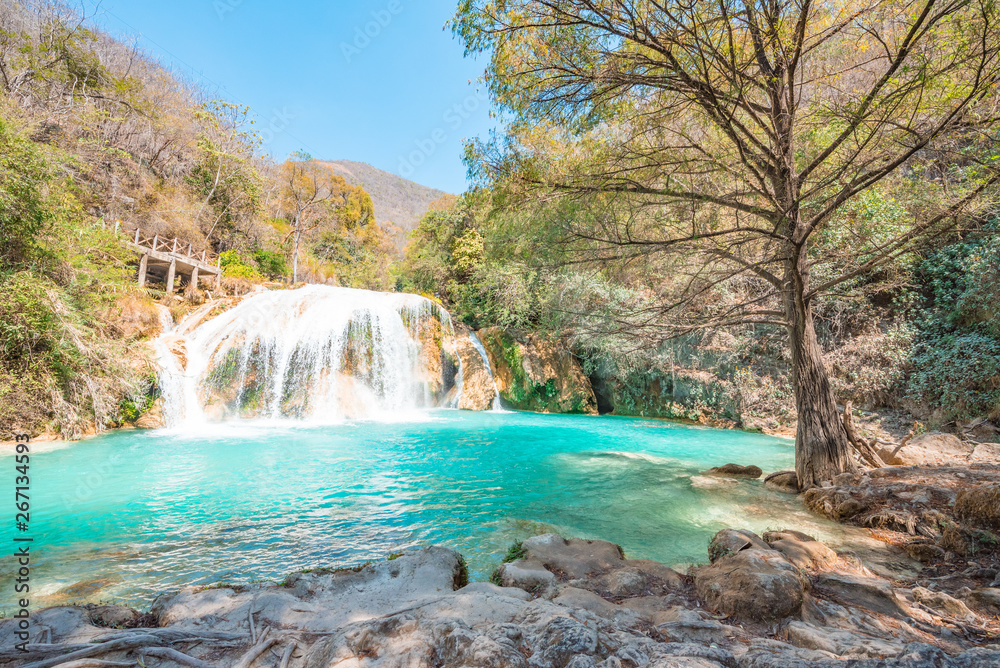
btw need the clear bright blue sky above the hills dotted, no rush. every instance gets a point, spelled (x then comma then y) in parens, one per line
(376, 81)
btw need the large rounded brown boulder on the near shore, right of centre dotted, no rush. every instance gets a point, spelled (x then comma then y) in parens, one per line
(752, 584)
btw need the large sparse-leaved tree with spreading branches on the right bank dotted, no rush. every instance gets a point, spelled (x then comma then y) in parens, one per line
(730, 134)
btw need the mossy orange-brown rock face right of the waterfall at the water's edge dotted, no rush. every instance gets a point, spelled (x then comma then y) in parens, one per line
(536, 374)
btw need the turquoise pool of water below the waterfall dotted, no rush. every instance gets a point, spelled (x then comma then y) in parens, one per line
(127, 515)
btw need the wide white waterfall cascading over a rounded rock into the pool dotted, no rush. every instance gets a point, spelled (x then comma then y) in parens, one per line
(318, 353)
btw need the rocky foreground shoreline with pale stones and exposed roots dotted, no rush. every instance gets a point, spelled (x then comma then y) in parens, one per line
(782, 599)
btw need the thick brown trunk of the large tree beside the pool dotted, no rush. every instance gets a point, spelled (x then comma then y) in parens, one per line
(821, 447)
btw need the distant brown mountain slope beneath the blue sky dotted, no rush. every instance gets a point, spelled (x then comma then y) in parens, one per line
(396, 199)
